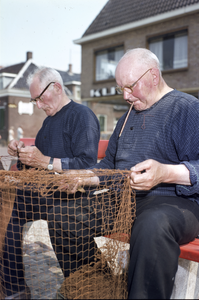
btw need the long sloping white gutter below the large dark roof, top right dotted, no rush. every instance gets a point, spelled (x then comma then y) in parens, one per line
(143, 22)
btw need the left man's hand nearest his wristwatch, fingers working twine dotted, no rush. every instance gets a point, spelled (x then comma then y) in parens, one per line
(31, 156)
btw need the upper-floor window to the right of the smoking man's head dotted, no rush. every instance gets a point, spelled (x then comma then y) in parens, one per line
(171, 50)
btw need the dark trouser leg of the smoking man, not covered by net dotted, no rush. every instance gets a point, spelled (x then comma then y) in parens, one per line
(162, 224)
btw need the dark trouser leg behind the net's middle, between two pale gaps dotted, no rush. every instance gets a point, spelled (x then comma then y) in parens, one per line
(74, 224)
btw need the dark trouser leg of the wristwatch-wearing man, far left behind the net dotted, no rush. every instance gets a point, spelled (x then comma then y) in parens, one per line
(28, 206)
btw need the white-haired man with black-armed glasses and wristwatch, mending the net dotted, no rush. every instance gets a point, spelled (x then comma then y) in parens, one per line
(68, 139)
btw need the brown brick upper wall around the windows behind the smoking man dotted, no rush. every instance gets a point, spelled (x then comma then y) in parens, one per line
(137, 38)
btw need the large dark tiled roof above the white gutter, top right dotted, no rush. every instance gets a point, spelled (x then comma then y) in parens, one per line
(120, 12)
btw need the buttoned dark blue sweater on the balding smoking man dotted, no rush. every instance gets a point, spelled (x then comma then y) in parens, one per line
(167, 132)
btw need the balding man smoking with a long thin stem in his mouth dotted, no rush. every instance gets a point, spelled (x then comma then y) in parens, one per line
(158, 142)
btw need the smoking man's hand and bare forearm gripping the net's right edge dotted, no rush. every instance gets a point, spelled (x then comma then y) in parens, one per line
(149, 173)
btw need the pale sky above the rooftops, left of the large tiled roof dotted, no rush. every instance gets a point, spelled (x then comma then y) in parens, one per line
(47, 28)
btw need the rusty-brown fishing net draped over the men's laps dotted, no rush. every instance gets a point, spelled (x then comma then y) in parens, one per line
(87, 253)
